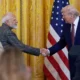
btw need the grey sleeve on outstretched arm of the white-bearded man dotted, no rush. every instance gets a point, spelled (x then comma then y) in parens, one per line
(13, 40)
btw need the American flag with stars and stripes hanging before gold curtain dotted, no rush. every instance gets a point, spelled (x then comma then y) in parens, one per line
(56, 67)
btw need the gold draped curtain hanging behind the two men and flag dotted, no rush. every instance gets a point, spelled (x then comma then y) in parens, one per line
(33, 24)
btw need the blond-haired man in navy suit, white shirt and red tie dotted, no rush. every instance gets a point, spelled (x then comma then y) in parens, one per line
(70, 36)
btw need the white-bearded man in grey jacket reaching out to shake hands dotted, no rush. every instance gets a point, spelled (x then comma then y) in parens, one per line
(9, 38)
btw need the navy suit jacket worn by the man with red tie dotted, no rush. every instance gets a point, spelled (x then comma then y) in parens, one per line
(66, 39)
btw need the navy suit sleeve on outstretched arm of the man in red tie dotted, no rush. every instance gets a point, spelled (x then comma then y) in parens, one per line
(58, 46)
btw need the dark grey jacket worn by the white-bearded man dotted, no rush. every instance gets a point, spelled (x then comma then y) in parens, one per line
(7, 37)
